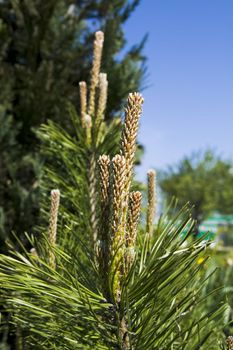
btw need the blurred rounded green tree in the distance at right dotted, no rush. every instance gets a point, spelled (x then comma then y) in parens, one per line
(204, 180)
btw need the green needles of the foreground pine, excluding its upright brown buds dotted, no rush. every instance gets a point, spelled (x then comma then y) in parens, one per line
(164, 296)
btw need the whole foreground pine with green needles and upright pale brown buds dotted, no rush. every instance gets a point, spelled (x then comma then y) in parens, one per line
(98, 278)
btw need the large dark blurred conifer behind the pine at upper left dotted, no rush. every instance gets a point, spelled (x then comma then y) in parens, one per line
(45, 50)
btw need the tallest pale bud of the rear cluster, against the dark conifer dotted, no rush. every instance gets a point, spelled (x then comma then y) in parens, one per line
(97, 55)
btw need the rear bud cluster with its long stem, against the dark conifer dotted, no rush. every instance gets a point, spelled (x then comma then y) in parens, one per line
(92, 109)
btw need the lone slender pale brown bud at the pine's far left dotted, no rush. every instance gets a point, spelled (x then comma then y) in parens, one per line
(55, 200)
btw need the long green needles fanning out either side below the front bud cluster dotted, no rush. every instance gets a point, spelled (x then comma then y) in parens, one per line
(162, 298)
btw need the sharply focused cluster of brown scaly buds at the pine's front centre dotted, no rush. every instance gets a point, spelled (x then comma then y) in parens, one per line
(123, 205)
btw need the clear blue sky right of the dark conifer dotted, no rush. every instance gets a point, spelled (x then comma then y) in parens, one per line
(189, 101)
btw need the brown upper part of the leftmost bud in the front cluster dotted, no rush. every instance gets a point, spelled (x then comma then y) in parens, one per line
(104, 163)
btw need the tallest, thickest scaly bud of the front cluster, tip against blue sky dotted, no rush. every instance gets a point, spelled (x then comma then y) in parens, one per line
(129, 133)
